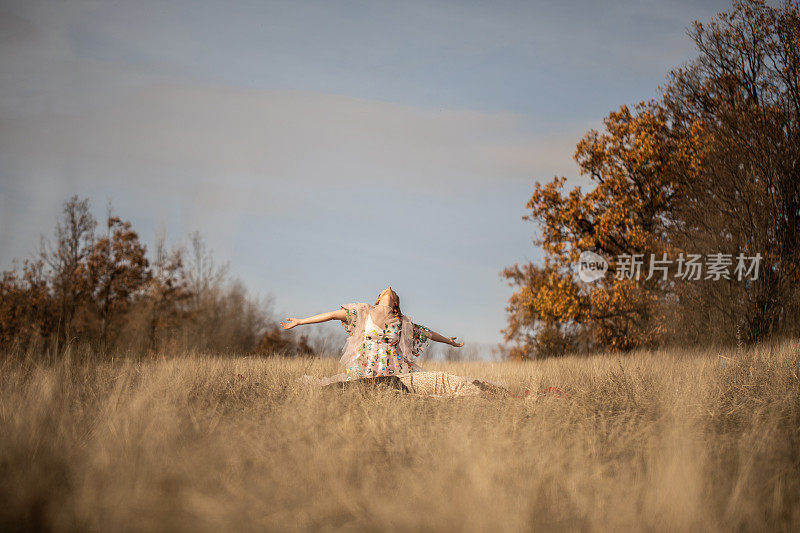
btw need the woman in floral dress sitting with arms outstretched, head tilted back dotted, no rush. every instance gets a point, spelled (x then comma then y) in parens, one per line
(382, 341)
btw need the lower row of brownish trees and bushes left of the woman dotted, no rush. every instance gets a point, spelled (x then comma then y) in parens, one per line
(97, 286)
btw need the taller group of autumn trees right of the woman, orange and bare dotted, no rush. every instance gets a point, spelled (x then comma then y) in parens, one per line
(710, 166)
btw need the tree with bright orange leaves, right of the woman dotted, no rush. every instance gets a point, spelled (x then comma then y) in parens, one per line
(634, 164)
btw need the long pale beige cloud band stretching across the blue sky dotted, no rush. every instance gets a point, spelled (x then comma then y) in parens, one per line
(221, 133)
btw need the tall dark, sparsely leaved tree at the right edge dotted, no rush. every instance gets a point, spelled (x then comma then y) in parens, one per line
(745, 90)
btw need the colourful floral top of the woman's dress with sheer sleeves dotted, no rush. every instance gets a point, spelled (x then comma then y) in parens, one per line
(379, 353)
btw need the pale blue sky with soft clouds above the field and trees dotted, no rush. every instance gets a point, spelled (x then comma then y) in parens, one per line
(324, 149)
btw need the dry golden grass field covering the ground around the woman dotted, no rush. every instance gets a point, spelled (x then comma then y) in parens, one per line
(652, 441)
